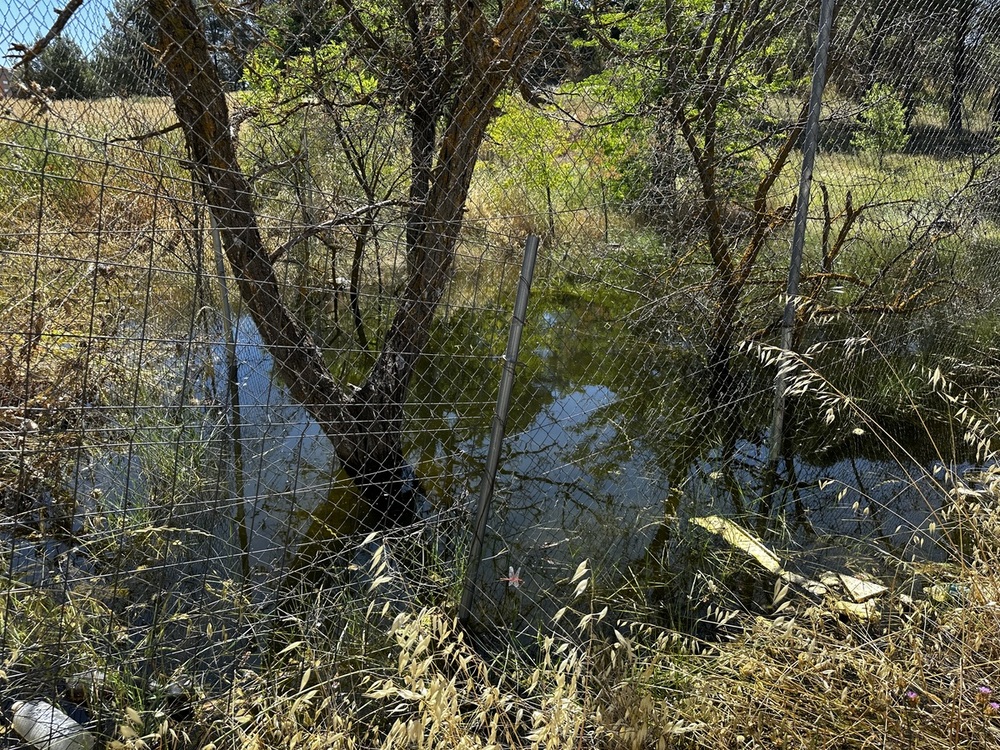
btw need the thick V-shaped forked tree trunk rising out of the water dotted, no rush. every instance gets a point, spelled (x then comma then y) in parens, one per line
(364, 425)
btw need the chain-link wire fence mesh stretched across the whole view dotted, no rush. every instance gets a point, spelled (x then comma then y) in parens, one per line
(259, 266)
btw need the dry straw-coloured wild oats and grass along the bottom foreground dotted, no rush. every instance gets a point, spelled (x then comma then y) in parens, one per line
(919, 677)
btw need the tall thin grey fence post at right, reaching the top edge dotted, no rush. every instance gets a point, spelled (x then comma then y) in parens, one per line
(809, 142)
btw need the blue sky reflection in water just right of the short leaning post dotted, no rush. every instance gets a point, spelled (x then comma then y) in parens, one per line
(565, 495)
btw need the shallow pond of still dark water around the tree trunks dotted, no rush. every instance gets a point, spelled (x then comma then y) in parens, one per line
(610, 448)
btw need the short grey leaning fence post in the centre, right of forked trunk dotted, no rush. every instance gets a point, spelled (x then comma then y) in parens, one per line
(498, 428)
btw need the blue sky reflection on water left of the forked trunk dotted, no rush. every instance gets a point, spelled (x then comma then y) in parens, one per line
(286, 465)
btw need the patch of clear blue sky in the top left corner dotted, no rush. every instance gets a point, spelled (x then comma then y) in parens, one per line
(23, 21)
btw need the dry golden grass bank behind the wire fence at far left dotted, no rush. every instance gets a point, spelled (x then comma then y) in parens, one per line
(93, 242)
